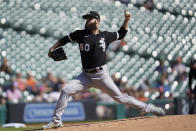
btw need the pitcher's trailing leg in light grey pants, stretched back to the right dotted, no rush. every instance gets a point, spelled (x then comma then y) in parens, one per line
(108, 86)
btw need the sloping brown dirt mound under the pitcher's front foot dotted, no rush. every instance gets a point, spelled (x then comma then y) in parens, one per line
(166, 123)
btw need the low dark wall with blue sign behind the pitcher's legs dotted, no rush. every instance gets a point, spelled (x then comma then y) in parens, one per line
(81, 110)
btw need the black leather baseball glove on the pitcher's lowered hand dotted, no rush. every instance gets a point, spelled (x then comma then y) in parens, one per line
(58, 54)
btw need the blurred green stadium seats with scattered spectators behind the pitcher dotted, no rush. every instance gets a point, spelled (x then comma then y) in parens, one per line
(151, 63)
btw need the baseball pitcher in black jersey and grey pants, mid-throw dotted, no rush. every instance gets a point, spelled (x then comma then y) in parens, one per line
(93, 44)
